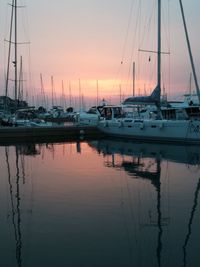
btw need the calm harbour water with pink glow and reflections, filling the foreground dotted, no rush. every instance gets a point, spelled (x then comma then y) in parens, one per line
(99, 203)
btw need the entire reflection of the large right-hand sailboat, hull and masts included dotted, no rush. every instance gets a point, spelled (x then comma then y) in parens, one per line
(139, 165)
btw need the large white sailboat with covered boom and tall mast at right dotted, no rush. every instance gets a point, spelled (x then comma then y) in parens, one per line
(182, 127)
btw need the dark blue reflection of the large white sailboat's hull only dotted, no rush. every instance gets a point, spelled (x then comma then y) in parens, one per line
(188, 154)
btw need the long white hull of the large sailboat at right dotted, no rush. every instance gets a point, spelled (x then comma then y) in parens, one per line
(186, 131)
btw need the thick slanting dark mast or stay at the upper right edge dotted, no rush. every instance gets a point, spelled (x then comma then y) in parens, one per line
(190, 51)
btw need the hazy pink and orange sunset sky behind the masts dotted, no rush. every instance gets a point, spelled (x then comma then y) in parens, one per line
(88, 42)
